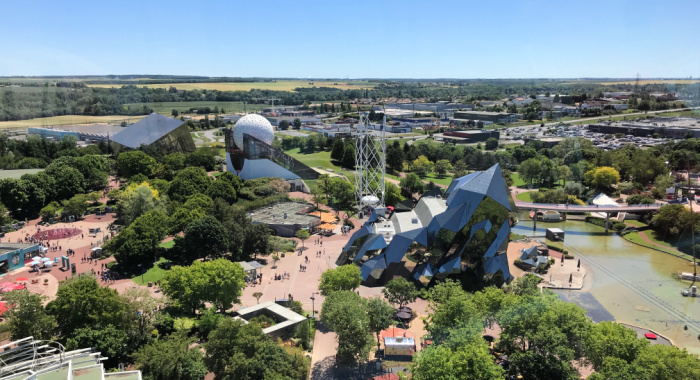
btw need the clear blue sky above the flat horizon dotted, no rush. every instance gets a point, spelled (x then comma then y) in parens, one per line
(355, 39)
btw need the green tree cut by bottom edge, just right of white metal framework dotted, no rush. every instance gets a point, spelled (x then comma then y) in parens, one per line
(171, 359)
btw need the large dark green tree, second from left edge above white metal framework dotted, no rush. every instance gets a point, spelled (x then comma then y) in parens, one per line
(81, 302)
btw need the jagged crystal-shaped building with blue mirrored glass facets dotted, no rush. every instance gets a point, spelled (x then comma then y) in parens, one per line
(464, 229)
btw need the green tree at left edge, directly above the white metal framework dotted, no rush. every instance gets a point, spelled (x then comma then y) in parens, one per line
(27, 317)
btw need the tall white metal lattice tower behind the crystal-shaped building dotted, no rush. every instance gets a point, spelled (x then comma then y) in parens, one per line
(370, 160)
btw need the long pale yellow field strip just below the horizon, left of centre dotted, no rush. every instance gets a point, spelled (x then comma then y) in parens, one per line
(280, 85)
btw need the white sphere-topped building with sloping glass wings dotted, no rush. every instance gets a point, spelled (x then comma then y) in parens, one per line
(250, 155)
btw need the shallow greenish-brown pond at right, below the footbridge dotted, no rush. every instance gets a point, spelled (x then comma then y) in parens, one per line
(636, 285)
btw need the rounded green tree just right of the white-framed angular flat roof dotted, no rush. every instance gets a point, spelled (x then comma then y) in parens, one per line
(345, 313)
